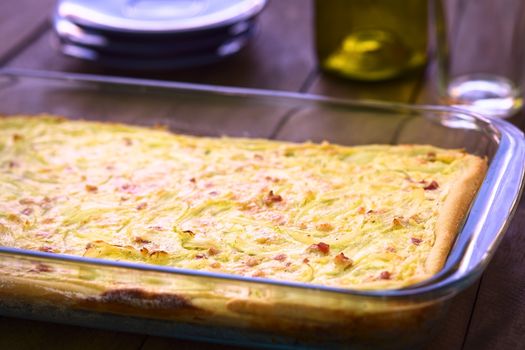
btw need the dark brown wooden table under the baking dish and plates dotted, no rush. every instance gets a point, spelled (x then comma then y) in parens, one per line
(488, 315)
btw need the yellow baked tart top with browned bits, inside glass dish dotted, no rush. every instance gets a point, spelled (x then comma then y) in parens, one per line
(368, 217)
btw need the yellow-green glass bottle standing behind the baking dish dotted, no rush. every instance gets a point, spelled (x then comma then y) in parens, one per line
(371, 39)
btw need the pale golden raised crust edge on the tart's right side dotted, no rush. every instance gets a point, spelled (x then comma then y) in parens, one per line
(454, 211)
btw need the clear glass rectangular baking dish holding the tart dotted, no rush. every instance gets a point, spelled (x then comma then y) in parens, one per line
(241, 310)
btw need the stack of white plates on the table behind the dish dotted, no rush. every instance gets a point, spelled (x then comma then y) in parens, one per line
(154, 34)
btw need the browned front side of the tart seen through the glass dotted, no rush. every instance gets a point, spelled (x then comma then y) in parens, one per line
(306, 319)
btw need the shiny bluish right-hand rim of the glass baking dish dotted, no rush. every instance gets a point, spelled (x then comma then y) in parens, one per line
(500, 192)
